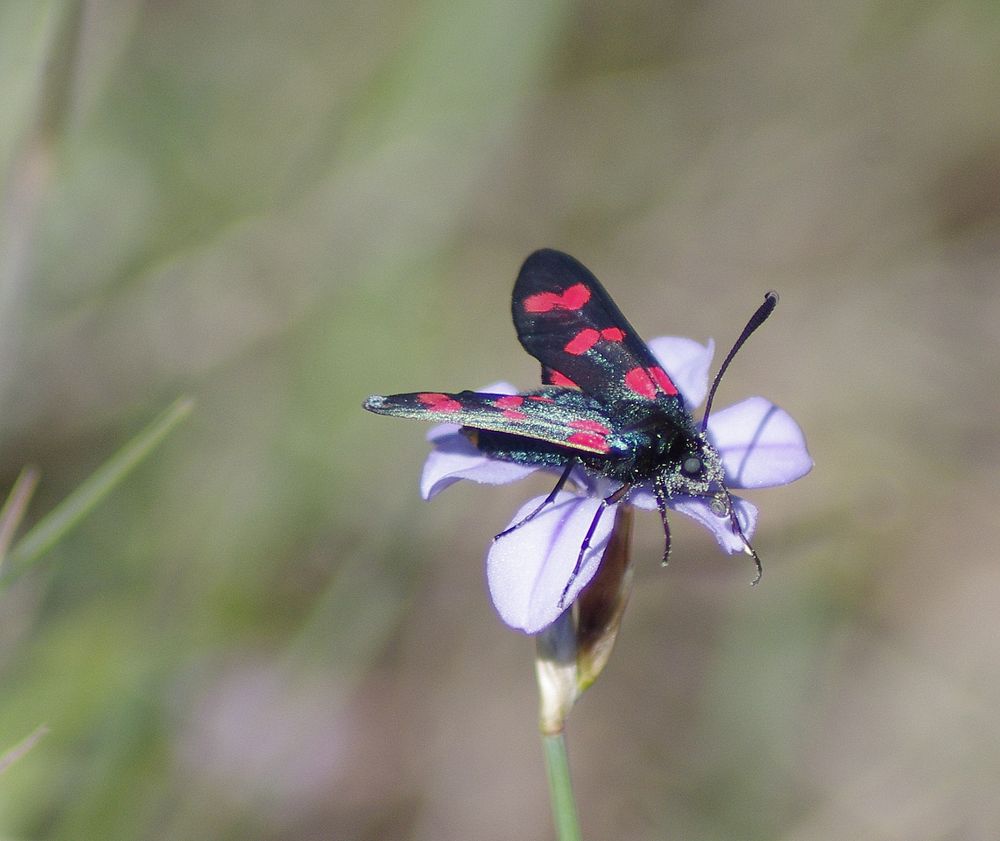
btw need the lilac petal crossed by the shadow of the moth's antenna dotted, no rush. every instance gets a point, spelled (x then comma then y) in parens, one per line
(761, 446)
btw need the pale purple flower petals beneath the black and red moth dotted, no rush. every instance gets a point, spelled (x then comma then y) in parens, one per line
(528, 569)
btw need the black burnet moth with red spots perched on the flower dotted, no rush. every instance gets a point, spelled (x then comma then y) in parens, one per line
(605, 404)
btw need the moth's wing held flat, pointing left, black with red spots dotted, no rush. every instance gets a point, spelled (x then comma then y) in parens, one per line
(557, 415)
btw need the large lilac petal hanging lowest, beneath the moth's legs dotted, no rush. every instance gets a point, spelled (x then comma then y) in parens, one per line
(527, 569)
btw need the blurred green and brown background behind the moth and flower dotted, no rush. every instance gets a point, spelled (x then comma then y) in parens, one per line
(279, 208)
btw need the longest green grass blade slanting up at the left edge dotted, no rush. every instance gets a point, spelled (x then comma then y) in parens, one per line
(54, 525)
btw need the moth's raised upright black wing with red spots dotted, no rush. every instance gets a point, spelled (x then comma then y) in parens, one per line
(568, 322)
